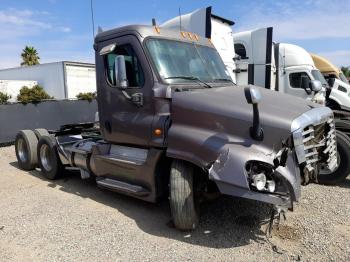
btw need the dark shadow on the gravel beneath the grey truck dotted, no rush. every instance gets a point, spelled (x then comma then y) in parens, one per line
(225, 222)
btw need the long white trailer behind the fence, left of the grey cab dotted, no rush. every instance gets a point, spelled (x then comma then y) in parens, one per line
(59, 79)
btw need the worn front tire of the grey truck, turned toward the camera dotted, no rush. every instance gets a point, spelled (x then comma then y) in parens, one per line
(184, 209)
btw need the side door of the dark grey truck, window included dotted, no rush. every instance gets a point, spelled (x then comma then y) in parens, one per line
(125, 114)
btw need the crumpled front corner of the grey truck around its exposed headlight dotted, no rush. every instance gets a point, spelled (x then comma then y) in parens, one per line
(232, 173)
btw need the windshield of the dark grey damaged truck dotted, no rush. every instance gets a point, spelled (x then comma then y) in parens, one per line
(179, 62)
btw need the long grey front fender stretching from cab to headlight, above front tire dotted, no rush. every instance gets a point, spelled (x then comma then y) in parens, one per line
(225, 158)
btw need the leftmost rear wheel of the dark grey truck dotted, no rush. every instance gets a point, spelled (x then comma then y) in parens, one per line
(26, 149)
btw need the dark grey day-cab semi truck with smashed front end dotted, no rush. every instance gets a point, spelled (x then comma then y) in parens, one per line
(173, 123)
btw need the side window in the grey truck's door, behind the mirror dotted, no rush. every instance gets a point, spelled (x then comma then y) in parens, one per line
(133, 68)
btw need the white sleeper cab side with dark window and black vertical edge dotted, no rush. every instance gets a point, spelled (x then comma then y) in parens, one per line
(255, 65)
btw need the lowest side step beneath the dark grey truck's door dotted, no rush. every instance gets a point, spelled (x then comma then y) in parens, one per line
(119, 186)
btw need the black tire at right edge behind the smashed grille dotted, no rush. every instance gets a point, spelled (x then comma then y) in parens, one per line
(343, 170)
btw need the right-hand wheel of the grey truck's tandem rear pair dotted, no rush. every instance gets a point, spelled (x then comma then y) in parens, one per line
(48, 158)
